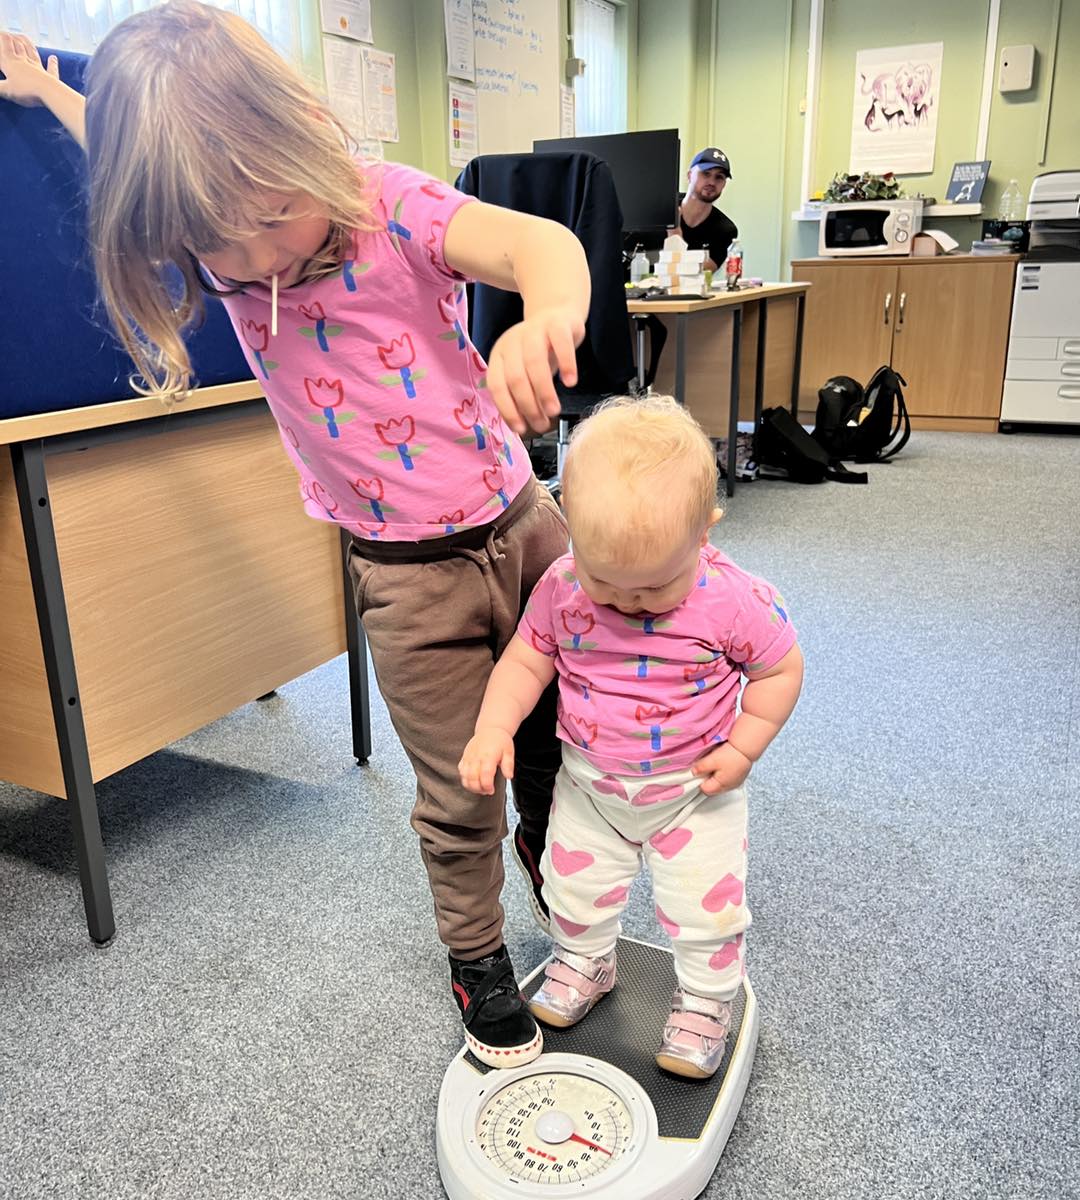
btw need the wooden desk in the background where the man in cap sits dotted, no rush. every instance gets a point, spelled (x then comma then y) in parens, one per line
(707, 374)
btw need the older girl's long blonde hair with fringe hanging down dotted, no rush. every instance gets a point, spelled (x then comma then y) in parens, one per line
(191, 121)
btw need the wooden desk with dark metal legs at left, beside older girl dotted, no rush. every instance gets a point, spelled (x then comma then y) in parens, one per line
(157, 572)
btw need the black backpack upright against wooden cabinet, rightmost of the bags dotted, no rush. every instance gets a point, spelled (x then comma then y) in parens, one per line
(868, 425)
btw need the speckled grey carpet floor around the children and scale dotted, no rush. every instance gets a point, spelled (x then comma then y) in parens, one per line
(274, 1021)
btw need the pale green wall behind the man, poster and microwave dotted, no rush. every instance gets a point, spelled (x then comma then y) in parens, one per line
(758, 80)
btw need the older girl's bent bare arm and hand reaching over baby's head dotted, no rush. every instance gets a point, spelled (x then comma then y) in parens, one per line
(547, 265)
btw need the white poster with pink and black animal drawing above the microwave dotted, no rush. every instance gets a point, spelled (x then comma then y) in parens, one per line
(895, 116)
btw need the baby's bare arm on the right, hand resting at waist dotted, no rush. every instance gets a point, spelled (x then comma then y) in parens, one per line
(767, 701)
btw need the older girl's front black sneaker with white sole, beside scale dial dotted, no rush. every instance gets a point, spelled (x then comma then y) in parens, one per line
(500, 1029)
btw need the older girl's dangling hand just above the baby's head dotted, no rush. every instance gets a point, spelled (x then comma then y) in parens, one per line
(523, 362)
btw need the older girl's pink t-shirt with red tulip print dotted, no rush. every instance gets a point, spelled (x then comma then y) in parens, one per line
(375, 385)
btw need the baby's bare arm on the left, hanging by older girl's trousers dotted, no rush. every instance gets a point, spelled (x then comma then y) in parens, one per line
(515, 686)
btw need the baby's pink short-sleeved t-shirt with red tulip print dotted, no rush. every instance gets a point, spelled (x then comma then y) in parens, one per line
(655, 693)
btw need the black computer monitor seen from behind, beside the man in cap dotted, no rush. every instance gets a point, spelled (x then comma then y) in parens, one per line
(646, 171)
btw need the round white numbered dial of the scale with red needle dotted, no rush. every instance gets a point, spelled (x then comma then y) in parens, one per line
(555, 1129)
